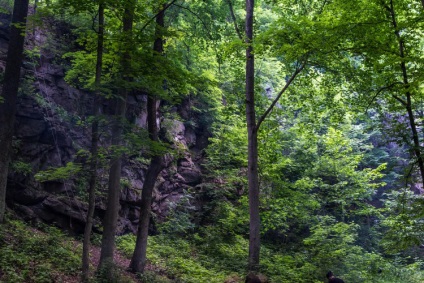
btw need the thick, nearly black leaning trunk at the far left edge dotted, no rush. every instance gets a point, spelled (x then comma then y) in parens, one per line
(10, 92)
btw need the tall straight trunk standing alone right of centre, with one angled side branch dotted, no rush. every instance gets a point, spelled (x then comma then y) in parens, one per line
(253, 177)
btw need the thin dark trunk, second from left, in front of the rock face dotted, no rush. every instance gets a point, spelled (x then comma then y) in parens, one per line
(94, 150)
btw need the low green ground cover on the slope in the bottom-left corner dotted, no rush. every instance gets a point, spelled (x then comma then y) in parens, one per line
(37, 254)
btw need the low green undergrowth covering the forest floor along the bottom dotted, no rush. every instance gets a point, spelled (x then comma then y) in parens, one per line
(44, 253)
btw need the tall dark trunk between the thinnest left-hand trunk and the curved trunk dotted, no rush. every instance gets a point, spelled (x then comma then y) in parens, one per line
(111, 216)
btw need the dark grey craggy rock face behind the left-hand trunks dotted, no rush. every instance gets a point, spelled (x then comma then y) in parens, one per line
(51, 129)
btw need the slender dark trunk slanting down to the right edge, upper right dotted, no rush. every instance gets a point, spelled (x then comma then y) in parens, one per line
(408, 103)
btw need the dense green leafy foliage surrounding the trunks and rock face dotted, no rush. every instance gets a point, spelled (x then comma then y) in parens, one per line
(340, 162)
